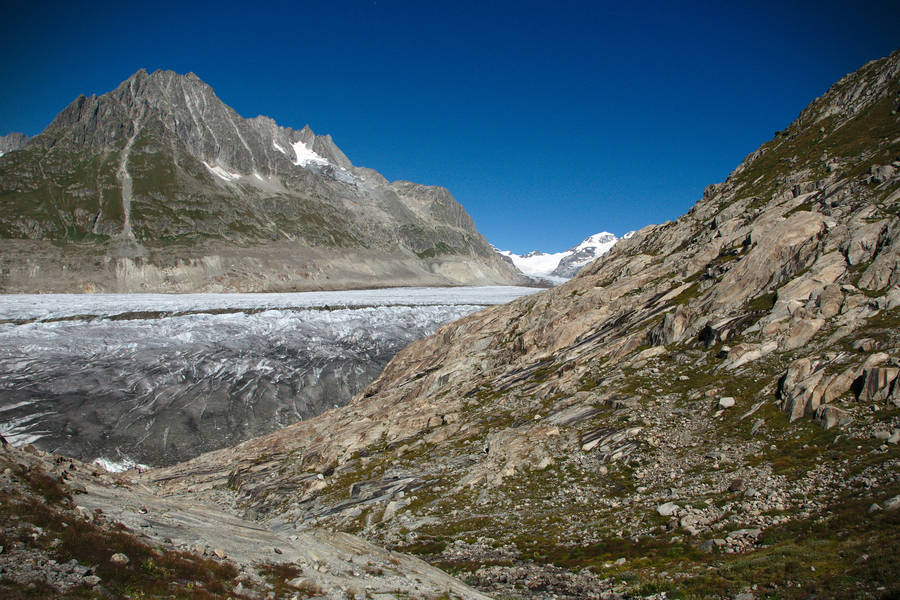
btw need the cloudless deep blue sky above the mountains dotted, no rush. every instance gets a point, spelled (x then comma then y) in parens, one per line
(548, 121)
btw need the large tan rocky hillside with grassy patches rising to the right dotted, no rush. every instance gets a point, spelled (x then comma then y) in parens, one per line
(711, 408)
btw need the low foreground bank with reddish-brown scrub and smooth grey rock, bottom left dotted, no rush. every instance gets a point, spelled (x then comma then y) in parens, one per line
(68, 530)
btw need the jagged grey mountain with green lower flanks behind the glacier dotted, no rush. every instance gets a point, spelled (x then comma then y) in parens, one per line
(159, 186)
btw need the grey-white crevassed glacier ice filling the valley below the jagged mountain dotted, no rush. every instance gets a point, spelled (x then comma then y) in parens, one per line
(159, 378)
